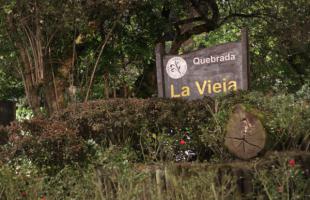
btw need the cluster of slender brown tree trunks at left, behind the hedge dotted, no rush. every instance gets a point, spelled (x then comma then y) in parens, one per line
(41, 84)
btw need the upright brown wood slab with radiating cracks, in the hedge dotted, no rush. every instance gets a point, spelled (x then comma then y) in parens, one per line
(246, 136)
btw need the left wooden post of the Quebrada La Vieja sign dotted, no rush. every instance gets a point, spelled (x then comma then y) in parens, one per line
(160, 52)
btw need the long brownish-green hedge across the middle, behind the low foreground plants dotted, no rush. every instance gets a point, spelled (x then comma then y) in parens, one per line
(156, 129)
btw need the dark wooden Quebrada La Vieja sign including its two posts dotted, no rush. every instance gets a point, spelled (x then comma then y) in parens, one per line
(205, 72)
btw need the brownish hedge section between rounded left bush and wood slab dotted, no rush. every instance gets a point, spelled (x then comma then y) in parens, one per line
(153, 127)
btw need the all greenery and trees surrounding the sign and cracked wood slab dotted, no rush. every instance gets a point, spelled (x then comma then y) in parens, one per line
(55, 55)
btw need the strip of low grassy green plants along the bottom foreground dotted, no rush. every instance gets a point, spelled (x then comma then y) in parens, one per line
(278, 176)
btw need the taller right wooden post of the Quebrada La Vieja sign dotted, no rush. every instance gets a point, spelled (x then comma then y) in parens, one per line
(245, 59)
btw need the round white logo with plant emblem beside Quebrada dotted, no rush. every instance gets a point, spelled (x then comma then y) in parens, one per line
(176, 67)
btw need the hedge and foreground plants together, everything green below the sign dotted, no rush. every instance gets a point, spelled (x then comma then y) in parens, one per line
(96, 150)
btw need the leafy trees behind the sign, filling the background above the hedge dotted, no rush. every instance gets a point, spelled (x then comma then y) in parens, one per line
(59, 52)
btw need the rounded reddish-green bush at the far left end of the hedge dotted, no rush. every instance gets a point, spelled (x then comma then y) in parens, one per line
(49, 145)
